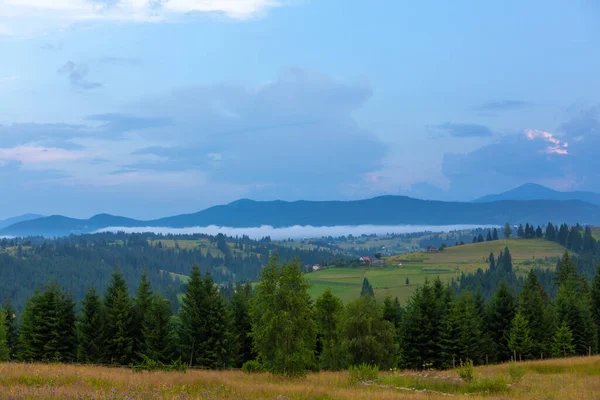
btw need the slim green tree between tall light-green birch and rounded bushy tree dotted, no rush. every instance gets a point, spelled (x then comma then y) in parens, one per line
(328, 315)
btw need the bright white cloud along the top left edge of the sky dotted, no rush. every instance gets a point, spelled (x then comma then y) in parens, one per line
(36, 16)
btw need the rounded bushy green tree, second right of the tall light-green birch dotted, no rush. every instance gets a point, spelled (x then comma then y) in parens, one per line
(369, 337)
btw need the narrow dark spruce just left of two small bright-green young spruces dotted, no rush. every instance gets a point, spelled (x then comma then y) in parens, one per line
(500, 314)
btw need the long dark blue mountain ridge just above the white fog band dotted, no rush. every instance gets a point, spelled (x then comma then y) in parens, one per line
(384, 210)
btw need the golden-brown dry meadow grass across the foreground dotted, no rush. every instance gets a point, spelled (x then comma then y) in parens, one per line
(574, 378)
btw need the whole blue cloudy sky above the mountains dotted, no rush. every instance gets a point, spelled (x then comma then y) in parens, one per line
(150, 108)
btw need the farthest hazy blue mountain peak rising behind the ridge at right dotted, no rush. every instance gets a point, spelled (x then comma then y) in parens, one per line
(532, 191)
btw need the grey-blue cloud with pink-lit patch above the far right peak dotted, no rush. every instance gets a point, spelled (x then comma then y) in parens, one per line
(568, 162)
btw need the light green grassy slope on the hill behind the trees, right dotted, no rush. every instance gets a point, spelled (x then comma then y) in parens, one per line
(391, 279)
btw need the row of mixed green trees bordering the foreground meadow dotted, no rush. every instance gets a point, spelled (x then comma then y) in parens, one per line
(277, 327)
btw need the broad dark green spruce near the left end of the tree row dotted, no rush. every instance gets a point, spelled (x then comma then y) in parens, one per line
(48, 327)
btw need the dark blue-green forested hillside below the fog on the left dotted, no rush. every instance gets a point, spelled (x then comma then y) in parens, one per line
(79, 262)
